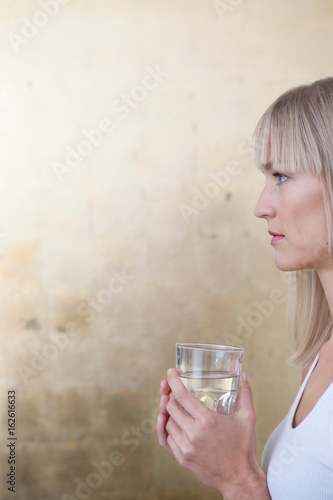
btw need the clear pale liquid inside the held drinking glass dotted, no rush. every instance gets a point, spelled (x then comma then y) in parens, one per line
(218, 390)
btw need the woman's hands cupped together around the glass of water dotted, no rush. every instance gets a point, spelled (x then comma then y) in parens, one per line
(220, 450)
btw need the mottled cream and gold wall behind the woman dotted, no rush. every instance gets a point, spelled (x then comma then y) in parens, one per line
(127, 191)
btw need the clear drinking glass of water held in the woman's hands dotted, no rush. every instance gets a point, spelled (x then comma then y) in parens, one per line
(211, 372)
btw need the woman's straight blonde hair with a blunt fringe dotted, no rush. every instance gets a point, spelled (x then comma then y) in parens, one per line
(297, 131)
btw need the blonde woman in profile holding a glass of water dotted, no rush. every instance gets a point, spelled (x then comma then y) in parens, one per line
(295, 135)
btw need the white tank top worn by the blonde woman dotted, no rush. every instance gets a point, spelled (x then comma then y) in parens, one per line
(299, 461)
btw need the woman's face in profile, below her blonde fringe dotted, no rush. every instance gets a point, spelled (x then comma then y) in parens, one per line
(293, 206)
